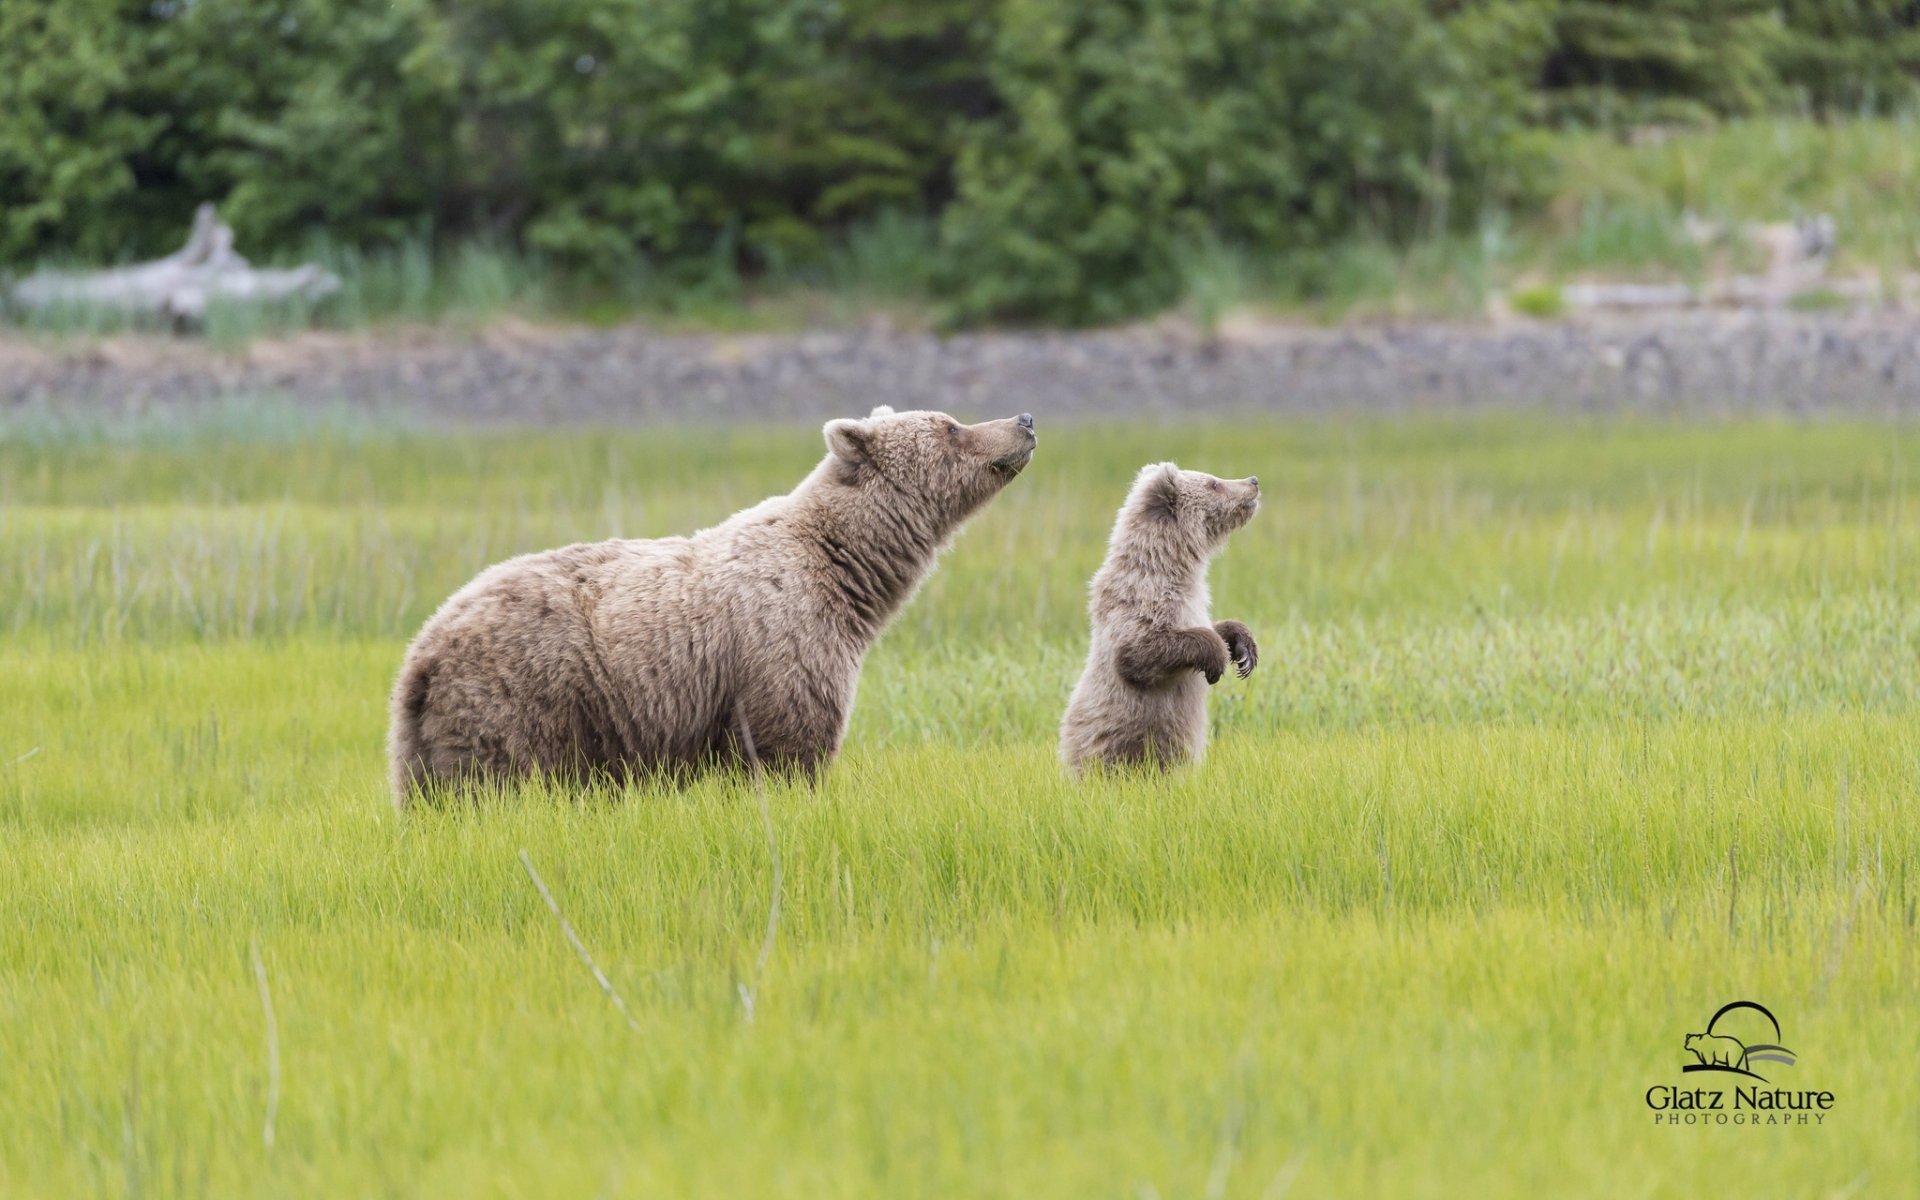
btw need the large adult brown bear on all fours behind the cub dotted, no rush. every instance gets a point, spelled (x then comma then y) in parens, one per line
(667, 656)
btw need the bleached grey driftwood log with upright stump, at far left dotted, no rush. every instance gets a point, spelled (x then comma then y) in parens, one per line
(181, 285)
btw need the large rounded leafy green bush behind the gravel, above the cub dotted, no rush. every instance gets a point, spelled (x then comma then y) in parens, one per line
(1134, 128)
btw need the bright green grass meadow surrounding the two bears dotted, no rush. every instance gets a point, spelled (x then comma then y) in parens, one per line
(1564, 736)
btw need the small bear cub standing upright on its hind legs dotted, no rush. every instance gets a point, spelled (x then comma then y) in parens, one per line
(1155, 652)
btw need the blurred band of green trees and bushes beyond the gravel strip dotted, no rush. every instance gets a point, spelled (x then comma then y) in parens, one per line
(984, 160)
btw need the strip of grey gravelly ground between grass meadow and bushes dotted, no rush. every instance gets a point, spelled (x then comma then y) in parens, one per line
(525, 375)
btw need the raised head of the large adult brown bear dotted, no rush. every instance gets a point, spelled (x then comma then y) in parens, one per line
(949, 469)
